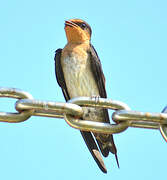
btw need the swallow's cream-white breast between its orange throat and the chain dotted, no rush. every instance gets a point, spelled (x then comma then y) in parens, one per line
(78, 77)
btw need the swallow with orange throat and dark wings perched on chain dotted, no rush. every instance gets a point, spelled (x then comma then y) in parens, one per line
(79, 73)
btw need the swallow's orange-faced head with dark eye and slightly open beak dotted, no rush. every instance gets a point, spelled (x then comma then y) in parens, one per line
(77, 31)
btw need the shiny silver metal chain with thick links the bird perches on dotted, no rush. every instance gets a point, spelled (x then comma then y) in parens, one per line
(72, 112)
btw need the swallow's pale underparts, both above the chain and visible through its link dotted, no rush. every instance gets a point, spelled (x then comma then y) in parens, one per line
(80, 82)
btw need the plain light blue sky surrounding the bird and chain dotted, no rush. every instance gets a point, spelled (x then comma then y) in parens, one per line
(130, 38)
